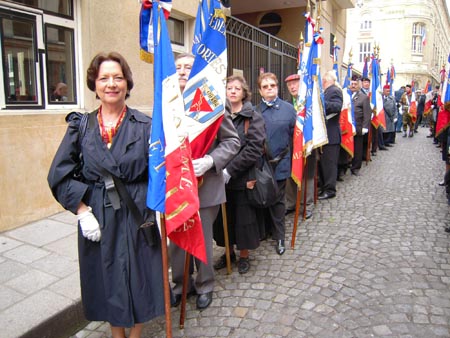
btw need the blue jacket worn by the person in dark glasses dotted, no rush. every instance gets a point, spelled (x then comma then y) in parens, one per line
(280, 122)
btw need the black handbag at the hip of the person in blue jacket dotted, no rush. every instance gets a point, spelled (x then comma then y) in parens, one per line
(262, 188)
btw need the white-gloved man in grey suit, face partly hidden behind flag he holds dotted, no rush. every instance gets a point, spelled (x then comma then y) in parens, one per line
(211, 193)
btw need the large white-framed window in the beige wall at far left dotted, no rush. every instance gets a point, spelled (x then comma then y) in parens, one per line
(37, 51)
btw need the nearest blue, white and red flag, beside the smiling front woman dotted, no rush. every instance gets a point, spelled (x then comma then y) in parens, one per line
(172, 188)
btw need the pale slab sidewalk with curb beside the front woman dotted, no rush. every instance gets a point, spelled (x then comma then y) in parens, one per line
(39, 280)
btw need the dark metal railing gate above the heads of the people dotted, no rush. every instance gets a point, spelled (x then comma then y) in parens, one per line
(253, 51)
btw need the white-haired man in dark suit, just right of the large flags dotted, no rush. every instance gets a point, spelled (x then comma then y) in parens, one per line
(328, 163)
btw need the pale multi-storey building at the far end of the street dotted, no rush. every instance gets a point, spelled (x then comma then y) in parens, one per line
(411, 35)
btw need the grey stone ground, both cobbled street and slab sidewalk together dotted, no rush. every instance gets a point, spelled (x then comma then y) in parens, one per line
(372, 262)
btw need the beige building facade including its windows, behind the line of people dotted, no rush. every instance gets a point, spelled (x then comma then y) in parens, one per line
(46, 47)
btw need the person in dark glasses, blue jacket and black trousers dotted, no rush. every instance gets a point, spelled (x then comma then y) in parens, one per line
(280, 117)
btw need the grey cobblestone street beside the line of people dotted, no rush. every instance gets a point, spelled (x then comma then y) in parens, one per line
(372, 262)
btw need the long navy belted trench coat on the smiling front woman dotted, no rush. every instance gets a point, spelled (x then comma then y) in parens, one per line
(121, 276)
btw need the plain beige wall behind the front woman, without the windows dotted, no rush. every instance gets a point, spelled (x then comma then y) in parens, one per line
(29, 141)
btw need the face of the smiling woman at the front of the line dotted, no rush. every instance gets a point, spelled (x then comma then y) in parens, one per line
(111, 85)
